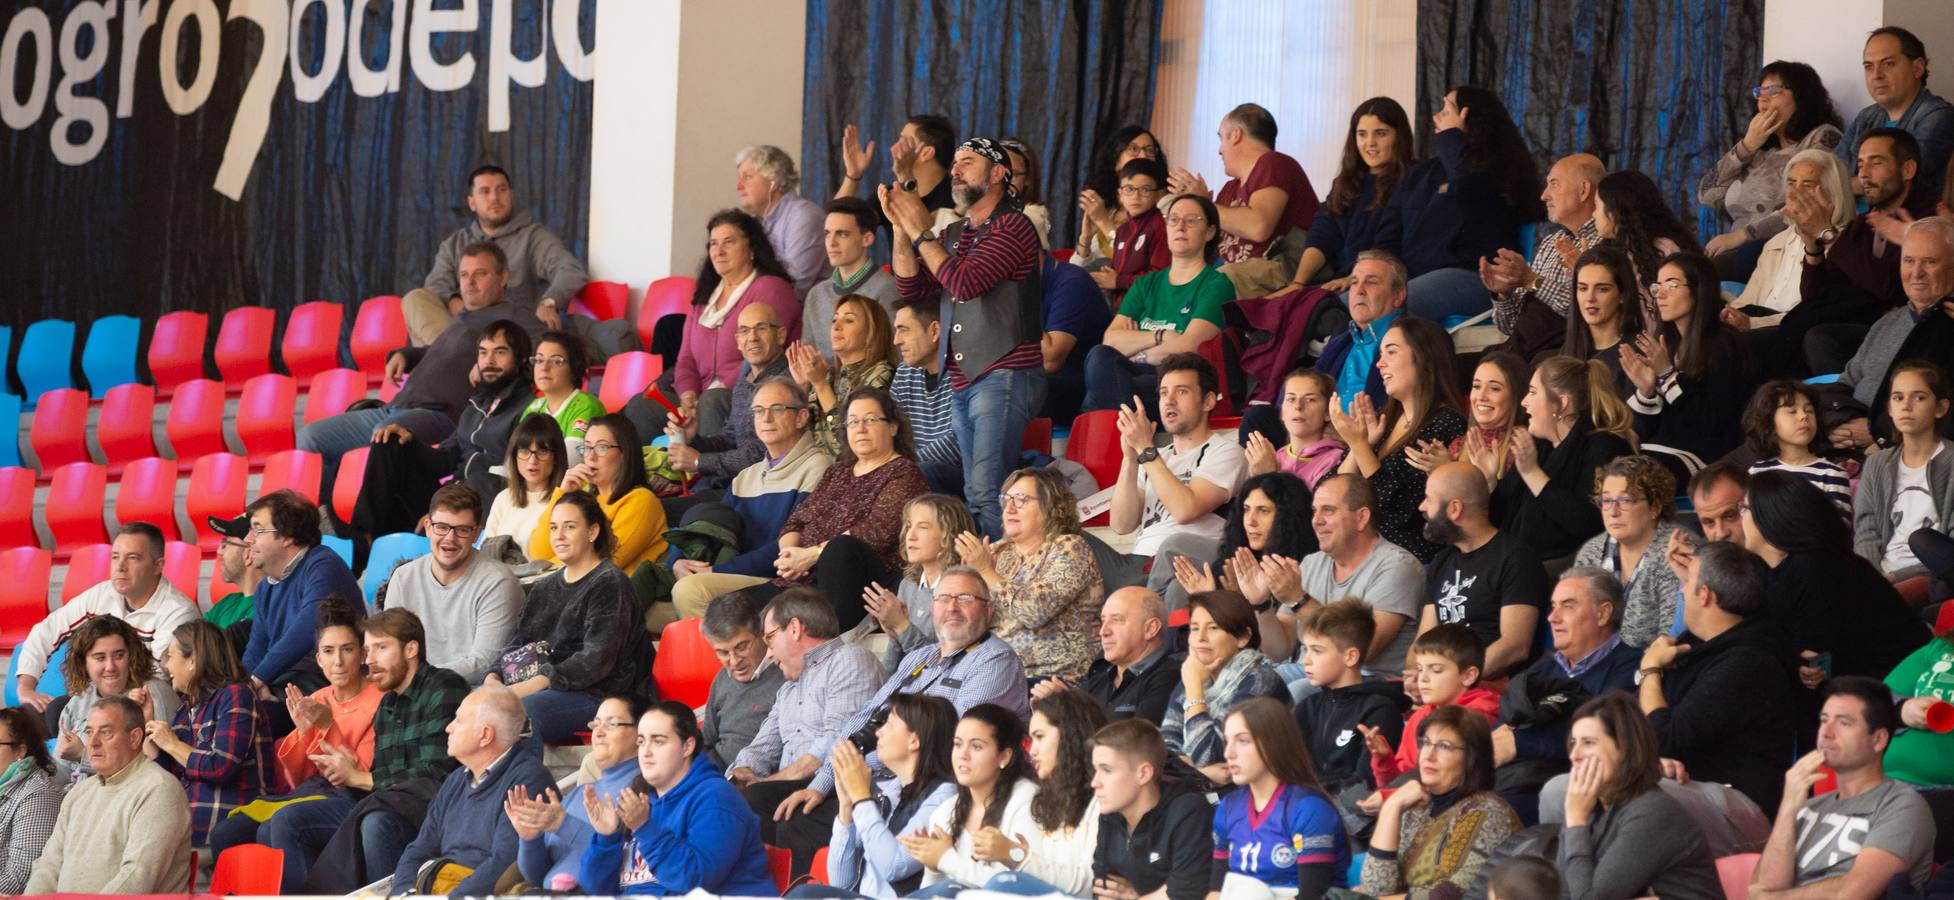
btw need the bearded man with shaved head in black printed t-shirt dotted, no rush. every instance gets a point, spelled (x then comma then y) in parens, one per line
(1482, 579)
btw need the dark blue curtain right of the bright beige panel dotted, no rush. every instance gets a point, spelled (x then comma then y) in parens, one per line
(1660, 87)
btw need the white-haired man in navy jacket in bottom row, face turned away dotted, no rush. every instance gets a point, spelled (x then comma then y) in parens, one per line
(466, 829)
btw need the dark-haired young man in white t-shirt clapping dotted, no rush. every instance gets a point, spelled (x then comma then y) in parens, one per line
(1175, 495)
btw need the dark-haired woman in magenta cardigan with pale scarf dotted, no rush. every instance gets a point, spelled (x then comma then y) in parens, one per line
(740, 270)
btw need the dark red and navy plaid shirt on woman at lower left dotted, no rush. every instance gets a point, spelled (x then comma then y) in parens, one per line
(230, 755)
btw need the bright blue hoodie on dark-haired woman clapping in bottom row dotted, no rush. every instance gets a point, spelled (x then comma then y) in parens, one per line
(702, 835)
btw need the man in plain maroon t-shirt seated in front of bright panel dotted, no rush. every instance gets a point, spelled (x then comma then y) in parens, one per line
(1267, 204)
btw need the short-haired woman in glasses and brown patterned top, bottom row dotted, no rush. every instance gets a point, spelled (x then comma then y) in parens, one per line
(1441, 829)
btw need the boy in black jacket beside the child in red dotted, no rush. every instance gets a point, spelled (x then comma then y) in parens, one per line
(1332, 719)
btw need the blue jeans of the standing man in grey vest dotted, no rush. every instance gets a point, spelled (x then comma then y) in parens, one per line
(990, 419)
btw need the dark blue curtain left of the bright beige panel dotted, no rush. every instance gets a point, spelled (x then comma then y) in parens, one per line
(1062, 75)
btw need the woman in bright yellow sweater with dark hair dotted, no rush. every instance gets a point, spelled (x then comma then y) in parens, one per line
(615, 468)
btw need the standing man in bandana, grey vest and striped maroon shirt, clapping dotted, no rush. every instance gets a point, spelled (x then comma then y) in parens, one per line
(986, 274)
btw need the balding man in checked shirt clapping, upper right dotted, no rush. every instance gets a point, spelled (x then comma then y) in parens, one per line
(1550, 280)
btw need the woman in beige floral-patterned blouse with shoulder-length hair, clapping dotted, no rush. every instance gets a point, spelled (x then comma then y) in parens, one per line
(1046, 587)
